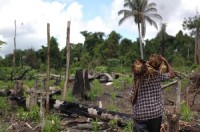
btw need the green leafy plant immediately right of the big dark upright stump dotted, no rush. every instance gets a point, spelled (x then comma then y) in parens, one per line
(96, 90)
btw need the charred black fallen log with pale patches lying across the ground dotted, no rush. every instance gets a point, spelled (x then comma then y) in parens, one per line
(90, 111)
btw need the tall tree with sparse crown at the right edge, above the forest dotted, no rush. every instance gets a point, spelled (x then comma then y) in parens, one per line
(193, 24)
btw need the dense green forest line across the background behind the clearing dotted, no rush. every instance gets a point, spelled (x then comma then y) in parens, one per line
(110, 51)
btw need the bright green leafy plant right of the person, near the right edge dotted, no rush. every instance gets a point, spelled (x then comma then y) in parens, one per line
(185, 112)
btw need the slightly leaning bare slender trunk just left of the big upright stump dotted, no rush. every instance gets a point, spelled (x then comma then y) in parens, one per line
(67, 59)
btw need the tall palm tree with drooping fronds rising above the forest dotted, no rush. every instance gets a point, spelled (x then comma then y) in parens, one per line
(141, 11)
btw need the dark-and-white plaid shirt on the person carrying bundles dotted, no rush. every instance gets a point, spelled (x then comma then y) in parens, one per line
(149, 102)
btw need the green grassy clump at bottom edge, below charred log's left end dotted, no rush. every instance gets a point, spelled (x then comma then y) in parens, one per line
(52, 124)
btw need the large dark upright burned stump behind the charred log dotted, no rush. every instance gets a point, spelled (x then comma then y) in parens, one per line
(81, 85)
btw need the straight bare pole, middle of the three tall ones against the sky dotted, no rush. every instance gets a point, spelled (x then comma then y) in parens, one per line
(48, 68)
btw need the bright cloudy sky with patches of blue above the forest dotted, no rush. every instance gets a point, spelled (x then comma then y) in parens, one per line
(32, 17)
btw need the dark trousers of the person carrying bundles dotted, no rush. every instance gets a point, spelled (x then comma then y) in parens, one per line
(151, 125)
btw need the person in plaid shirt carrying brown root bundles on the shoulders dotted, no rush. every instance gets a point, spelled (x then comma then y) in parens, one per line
(146, 95)
